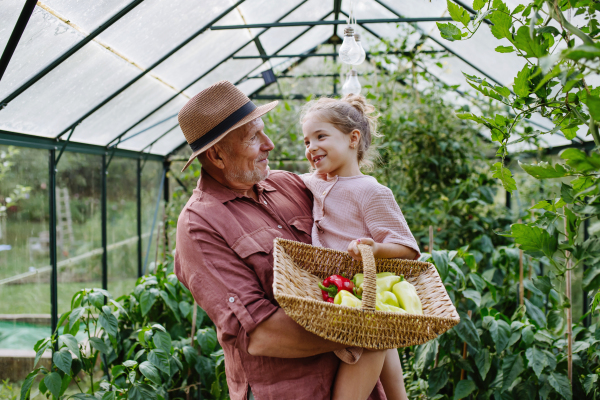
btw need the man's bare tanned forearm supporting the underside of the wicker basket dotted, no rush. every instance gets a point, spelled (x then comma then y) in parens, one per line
(280, 336)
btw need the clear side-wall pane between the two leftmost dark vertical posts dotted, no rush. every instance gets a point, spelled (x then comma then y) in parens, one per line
(78, 230)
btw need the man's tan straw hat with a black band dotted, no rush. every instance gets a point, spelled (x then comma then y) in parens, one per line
(213, 113)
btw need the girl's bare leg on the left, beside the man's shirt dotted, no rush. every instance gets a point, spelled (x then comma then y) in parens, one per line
(356, 381)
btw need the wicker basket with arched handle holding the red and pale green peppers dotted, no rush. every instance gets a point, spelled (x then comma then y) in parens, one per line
(300, 267)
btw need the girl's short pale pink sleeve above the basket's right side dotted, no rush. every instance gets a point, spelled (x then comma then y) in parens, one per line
(385, 220)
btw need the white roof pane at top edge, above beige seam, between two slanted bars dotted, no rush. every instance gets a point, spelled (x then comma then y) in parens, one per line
(153, 28)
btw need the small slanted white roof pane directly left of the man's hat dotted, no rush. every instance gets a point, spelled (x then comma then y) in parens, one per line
(140, 141)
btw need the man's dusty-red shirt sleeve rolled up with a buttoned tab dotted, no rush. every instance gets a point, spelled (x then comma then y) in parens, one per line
(221, 282)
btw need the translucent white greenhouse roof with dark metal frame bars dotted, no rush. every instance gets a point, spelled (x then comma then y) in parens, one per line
(113, 74)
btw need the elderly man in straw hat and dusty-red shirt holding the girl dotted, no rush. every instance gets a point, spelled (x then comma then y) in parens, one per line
(224, 251)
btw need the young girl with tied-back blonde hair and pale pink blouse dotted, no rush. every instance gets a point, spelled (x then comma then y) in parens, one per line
(351, 208)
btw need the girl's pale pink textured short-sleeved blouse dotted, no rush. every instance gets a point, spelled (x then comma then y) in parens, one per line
(349, 208)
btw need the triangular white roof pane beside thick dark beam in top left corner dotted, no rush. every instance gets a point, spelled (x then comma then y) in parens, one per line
(45, 39)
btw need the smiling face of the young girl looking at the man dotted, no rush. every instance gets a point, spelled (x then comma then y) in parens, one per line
(329, 150)
